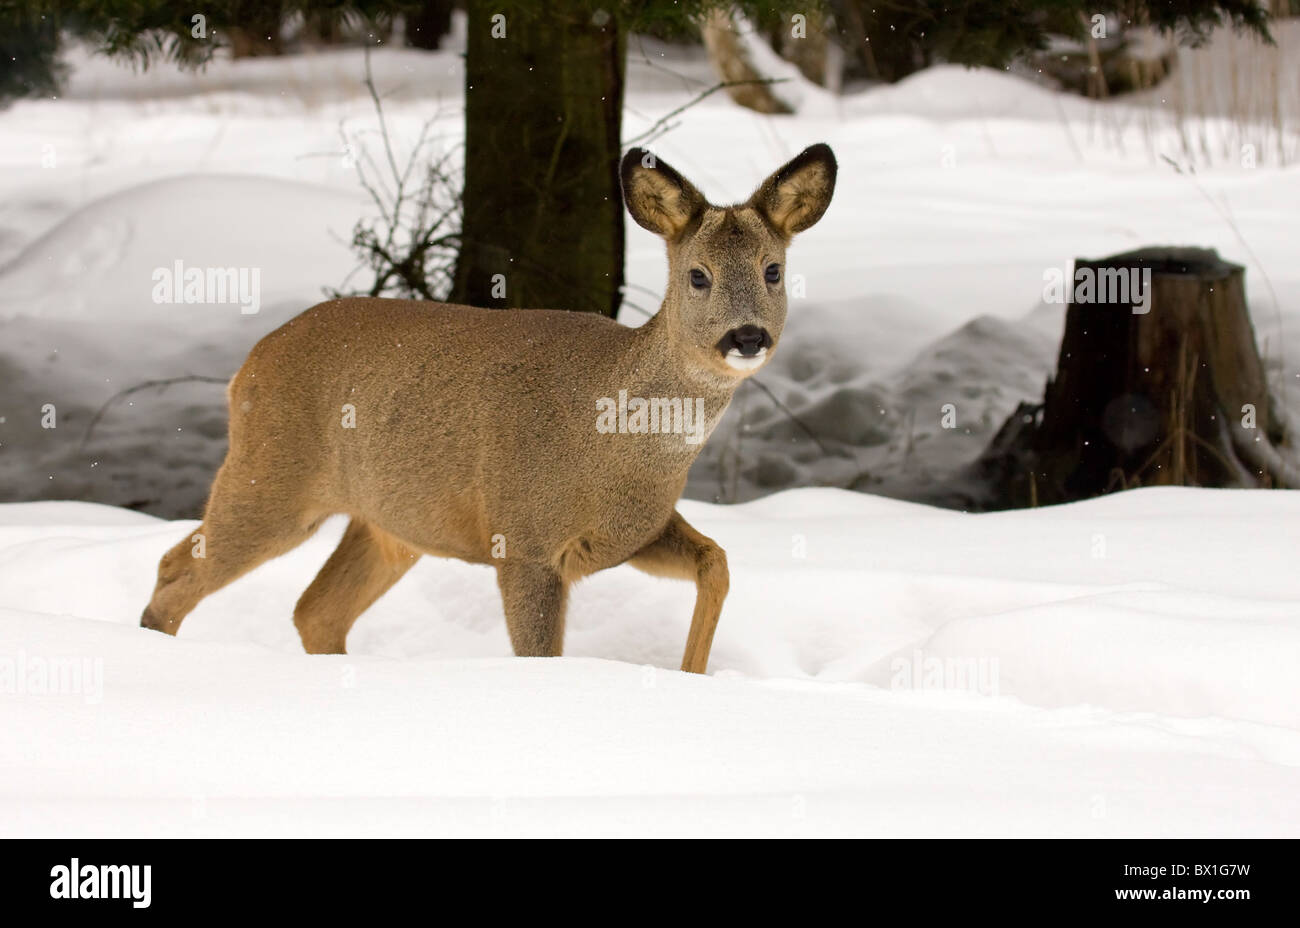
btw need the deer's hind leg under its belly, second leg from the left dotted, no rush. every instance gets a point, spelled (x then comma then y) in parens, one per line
(363, 567)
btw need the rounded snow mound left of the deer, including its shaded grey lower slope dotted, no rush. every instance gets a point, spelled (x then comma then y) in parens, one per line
(81, 324)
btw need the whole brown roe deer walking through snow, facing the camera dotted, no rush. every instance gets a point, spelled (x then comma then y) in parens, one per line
(502, 437)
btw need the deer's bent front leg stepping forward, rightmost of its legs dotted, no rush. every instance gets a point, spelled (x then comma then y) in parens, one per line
(686, 554)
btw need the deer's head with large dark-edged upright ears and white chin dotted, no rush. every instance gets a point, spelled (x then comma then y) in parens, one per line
(726, 297)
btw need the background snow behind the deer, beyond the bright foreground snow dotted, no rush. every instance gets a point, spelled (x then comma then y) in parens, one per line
(921, 289)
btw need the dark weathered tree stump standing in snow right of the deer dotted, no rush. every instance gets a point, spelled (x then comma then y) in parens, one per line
(1159, 381)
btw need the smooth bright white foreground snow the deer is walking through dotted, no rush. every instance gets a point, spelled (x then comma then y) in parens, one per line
(881, 669)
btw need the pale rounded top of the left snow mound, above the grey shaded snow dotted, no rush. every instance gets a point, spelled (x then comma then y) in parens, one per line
(99, 264)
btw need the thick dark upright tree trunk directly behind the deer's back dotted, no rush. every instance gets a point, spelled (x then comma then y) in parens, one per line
(543, 207)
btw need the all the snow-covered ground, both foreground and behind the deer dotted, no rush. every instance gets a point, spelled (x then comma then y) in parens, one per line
(1119, 667)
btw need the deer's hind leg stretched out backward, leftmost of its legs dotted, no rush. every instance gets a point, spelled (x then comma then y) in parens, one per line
(241, 530)
